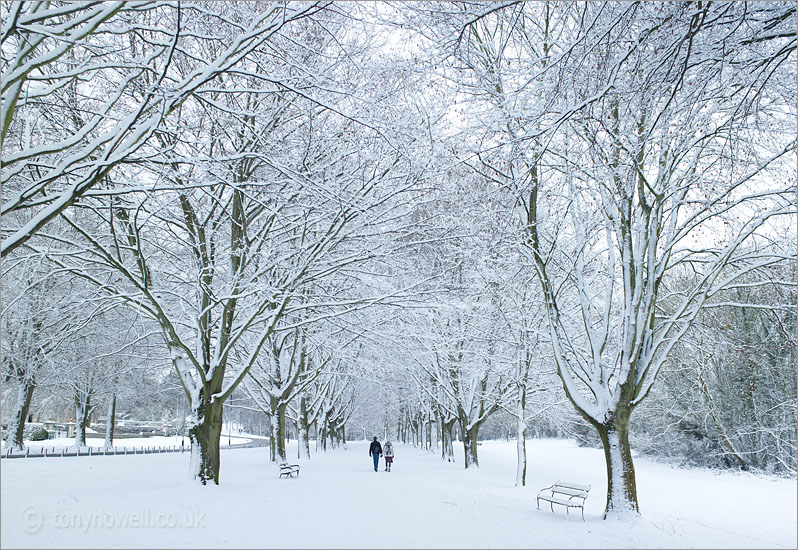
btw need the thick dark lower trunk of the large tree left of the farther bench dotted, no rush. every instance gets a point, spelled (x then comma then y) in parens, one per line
(204, 433)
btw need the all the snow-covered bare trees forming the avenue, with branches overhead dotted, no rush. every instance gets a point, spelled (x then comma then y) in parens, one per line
(430, 221)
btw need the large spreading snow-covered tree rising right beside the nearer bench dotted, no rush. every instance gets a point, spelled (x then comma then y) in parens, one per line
(635, 142)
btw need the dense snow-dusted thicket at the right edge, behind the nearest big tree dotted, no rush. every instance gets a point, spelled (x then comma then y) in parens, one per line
(727, 397)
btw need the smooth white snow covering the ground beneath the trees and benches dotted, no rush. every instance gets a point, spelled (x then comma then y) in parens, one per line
(338, 501)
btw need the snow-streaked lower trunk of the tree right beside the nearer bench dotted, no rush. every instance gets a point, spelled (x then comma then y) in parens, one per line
(621, 485)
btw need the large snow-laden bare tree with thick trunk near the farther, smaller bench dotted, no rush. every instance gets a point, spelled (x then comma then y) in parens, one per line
(256, 189)
